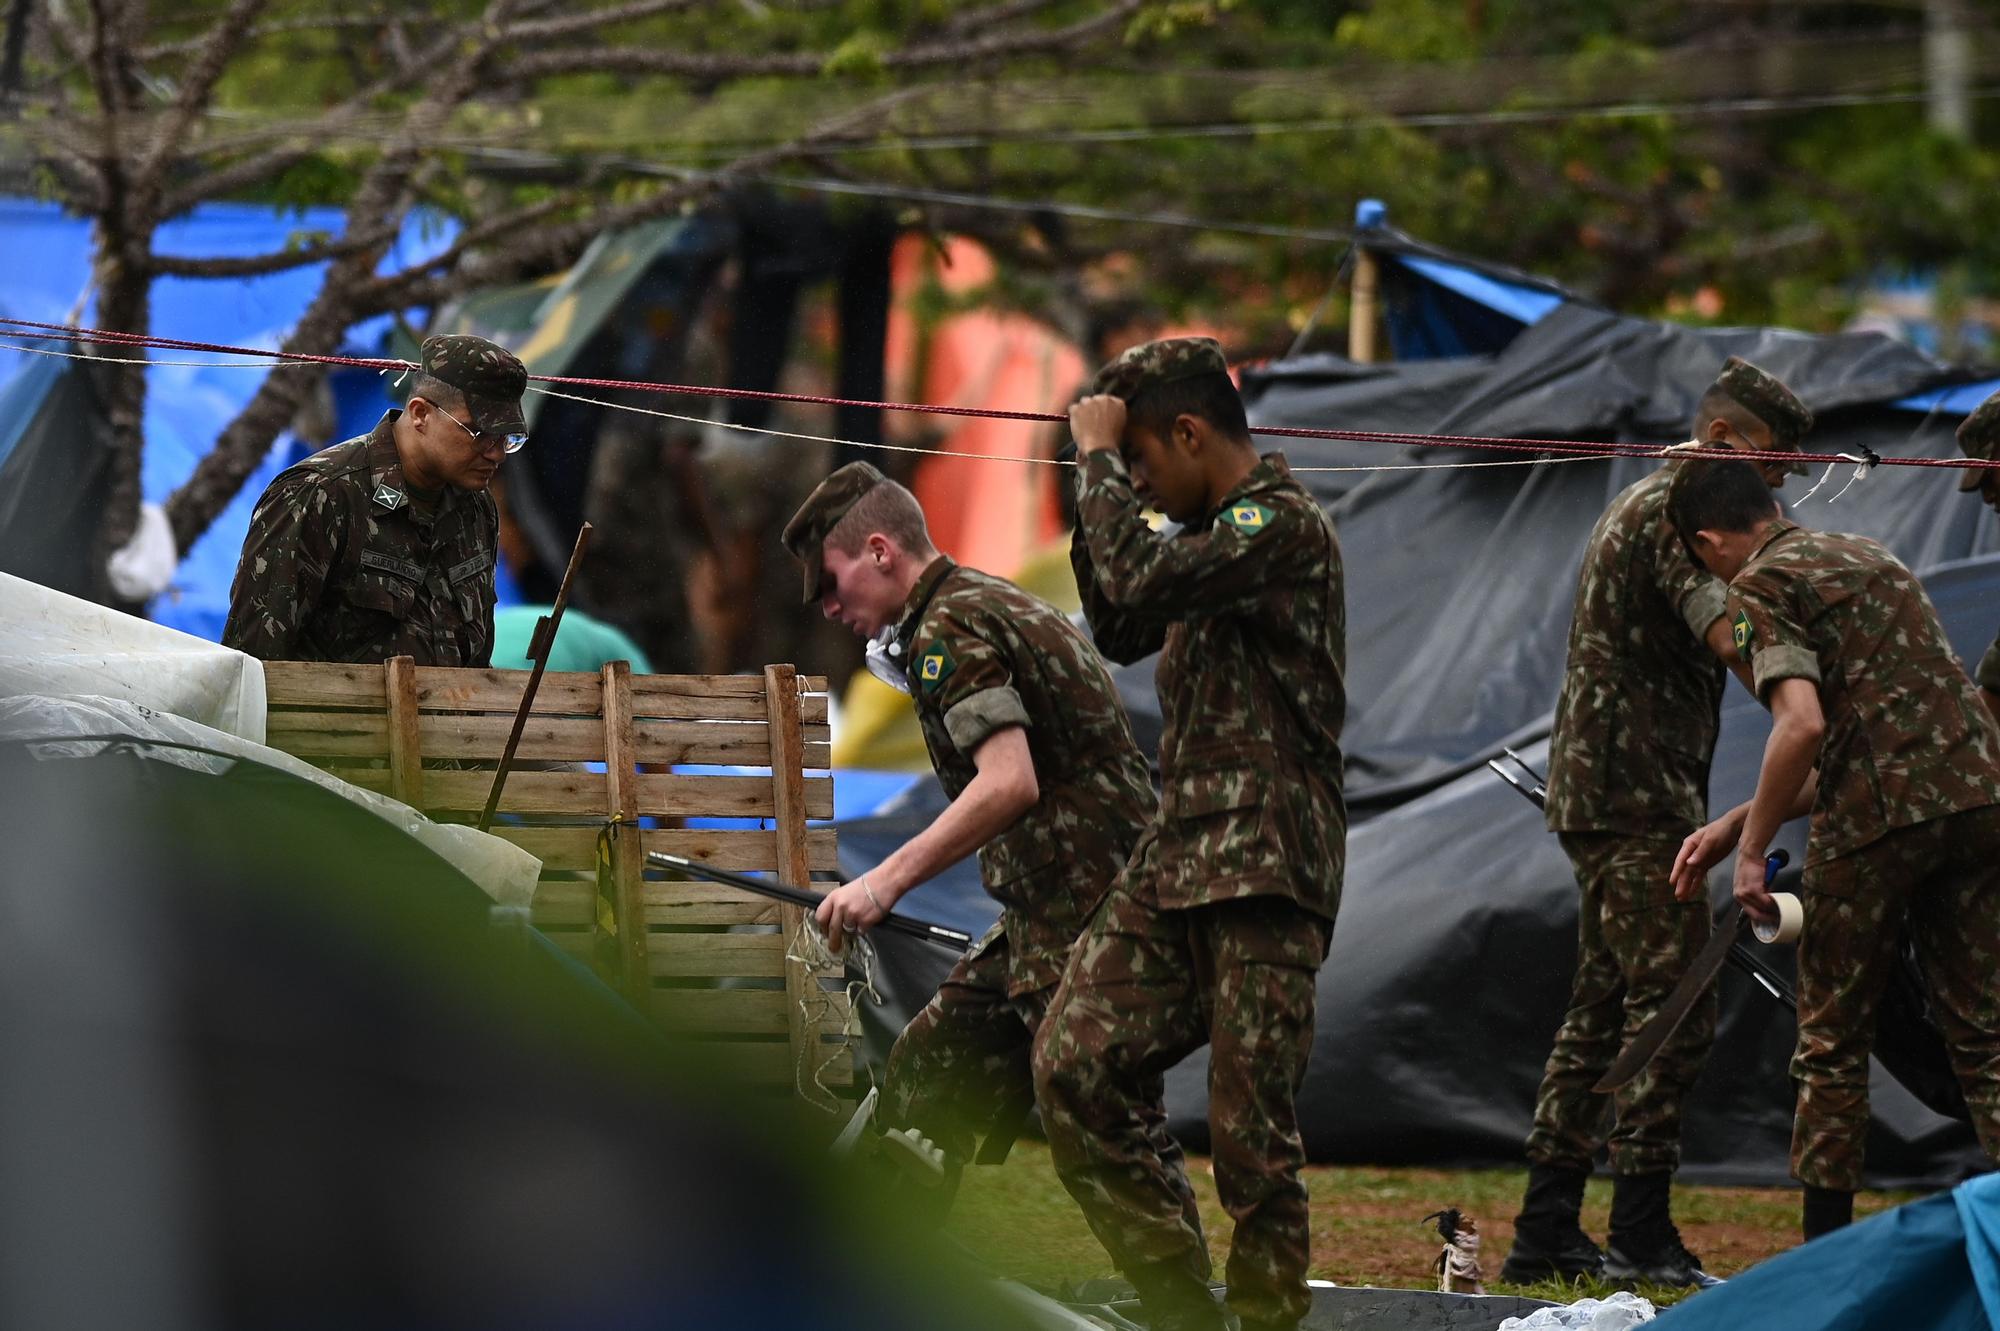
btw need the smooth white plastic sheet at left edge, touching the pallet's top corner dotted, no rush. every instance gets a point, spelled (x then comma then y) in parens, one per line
(65, 647)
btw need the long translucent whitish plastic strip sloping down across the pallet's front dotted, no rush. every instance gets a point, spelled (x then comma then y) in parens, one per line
(501, 868)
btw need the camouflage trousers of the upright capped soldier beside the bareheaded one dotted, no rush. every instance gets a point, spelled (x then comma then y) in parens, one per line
(1633, 946)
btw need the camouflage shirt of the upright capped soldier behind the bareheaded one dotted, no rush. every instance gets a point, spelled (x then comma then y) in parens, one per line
(1641, 692)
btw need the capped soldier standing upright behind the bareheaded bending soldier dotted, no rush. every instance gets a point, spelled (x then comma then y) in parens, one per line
(1629, 778)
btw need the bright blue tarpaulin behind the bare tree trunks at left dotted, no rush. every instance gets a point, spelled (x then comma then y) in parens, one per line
(187, 405)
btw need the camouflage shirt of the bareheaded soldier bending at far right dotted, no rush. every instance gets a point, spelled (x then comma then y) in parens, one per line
(1907, 736)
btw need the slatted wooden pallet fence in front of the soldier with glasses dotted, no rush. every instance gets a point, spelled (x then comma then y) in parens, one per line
(705, 960)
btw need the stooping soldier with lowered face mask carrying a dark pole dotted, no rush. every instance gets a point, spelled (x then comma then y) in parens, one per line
(1035, 750)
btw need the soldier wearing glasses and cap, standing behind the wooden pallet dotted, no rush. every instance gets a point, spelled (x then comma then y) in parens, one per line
(385, 545)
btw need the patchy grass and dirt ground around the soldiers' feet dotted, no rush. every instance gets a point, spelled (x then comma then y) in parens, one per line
(1367, 1224)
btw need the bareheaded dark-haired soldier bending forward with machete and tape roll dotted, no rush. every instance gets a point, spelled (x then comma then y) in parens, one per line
(1879, 732)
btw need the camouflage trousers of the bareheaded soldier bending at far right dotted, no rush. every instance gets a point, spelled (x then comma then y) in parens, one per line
(1941, 882)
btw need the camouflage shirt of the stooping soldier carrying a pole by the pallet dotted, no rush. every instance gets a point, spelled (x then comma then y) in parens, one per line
(983, 657)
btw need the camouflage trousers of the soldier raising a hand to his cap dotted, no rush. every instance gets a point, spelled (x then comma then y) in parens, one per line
(1143, 990)
